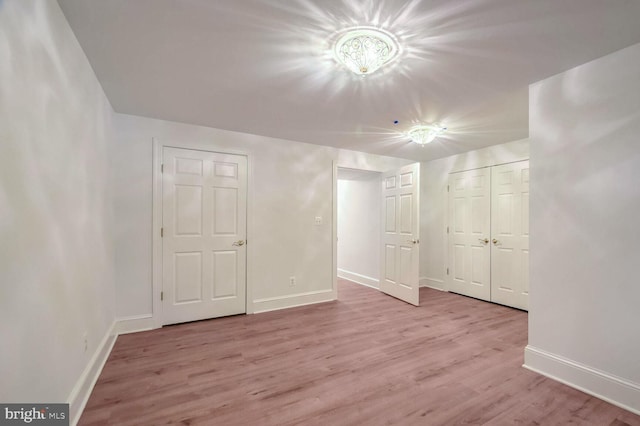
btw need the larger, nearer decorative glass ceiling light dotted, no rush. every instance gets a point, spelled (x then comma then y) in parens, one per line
(363, 50)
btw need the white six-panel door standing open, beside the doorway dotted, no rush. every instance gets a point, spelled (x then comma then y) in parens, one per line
(399, 259)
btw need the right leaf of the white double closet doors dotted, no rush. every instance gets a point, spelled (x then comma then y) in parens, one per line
(510, 234)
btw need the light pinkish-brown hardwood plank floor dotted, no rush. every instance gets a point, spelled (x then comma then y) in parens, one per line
(367, 359)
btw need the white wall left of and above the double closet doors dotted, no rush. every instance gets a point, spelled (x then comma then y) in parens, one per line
(433, 202)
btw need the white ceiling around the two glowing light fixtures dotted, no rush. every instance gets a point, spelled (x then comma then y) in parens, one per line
(262, 66)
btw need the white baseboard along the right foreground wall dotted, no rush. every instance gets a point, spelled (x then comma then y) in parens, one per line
(615, 390)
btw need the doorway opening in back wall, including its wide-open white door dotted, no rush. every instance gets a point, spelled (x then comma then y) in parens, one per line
(388, 203)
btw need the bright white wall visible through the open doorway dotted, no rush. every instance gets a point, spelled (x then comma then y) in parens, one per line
(359, 206)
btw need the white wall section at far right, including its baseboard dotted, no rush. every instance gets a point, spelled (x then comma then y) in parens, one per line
(585, 199)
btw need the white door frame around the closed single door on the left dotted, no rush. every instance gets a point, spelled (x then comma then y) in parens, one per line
(156, 257)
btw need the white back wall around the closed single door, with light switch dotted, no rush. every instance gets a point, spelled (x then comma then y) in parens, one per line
(290, 184)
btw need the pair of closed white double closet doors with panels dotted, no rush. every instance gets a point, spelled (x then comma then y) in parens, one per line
(489, 234)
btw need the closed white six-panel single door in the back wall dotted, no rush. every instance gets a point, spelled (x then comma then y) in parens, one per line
(204, 231)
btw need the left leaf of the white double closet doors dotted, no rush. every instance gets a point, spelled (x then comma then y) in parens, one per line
(469, 233)
